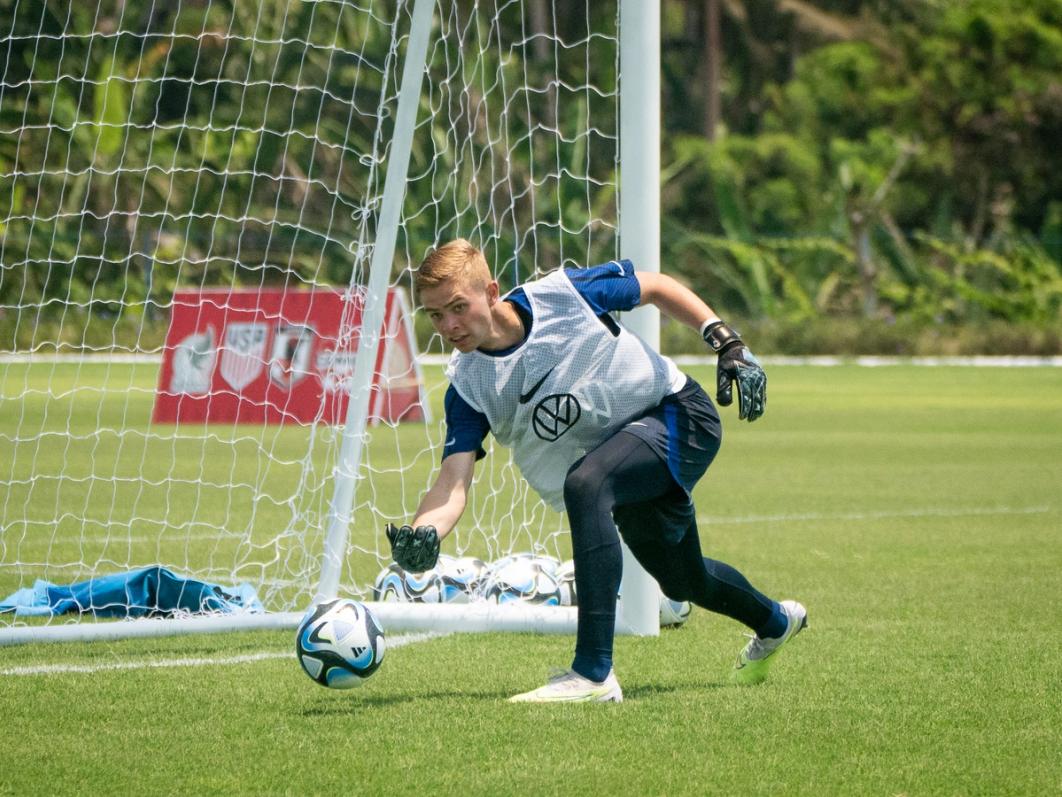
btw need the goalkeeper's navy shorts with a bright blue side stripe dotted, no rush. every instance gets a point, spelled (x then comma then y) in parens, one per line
(686, 433)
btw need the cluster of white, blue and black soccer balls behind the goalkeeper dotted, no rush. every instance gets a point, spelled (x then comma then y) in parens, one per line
(527, 579)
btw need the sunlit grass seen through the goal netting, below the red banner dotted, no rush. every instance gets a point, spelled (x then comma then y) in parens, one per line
(92, 485)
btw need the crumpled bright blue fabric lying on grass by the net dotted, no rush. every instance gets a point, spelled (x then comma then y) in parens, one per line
(153, 591)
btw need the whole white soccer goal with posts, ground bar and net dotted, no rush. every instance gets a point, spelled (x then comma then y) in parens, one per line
(209, 218)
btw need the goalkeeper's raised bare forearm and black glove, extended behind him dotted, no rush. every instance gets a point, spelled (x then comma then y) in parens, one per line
(736, 363)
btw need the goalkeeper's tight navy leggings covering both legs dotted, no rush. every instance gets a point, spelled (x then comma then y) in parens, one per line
(625, 482)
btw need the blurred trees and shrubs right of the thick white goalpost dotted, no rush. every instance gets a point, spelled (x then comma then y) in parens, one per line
(892, 167)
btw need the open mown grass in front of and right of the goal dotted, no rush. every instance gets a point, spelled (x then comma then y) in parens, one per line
(916, 512)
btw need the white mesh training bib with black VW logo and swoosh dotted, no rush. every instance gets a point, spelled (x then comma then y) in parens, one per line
(568, 388)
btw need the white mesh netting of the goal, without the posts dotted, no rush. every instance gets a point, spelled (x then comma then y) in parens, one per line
(152, 148)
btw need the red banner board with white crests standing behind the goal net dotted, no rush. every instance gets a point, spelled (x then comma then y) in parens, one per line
(282, 357)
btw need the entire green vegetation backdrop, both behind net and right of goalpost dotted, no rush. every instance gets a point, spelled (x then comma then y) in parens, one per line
(838, 175)
